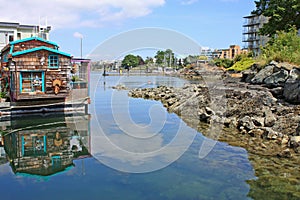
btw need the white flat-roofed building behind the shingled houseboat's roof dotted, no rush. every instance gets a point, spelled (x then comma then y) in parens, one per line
(15, 31)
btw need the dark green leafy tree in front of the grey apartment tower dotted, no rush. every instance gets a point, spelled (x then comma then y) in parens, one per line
(282, 14)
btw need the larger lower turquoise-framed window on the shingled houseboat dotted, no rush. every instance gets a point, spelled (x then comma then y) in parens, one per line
(32, 82)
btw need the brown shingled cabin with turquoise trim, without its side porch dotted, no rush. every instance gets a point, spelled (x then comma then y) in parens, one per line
(34, 68)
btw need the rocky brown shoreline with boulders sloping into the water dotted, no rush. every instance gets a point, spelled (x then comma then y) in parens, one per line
(259, 112)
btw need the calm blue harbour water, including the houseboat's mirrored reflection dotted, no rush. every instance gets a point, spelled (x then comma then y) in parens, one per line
(126, 149)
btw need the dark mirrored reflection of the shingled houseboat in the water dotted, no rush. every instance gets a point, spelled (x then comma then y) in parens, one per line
(45, 145)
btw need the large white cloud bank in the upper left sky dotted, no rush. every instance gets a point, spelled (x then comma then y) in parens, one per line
(75, 13)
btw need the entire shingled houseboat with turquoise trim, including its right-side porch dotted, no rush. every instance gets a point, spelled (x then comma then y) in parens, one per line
(35, 72)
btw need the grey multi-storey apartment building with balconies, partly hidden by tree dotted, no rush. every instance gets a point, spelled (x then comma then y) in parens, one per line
(253, 41)
